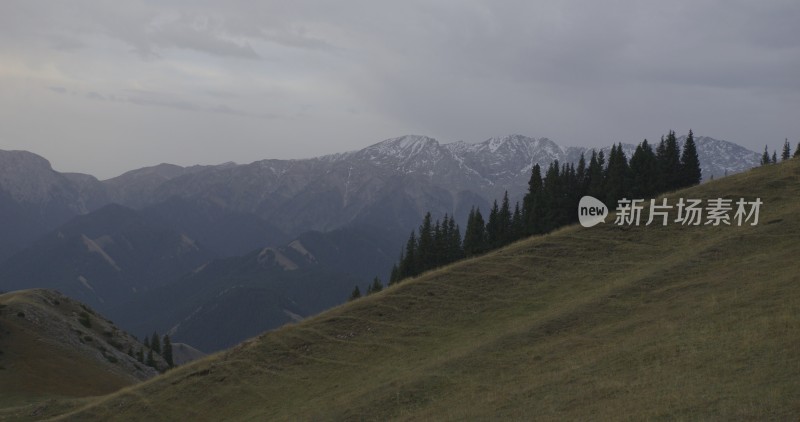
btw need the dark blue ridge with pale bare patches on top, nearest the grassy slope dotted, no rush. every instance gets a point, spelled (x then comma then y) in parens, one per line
(231, 299)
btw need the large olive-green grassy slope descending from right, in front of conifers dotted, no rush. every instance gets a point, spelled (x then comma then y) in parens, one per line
(699, 323)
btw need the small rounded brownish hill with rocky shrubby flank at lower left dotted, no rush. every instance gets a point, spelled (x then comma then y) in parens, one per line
(52, 346)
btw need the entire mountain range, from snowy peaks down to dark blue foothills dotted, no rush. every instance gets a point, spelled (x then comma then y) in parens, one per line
(134, 239)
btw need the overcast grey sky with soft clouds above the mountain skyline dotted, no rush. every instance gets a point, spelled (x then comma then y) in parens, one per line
(105, 87)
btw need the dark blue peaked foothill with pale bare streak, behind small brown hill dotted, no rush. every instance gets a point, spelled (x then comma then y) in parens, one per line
(103, 258)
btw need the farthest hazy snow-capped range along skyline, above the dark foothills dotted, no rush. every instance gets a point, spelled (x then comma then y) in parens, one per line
(389, 184)
